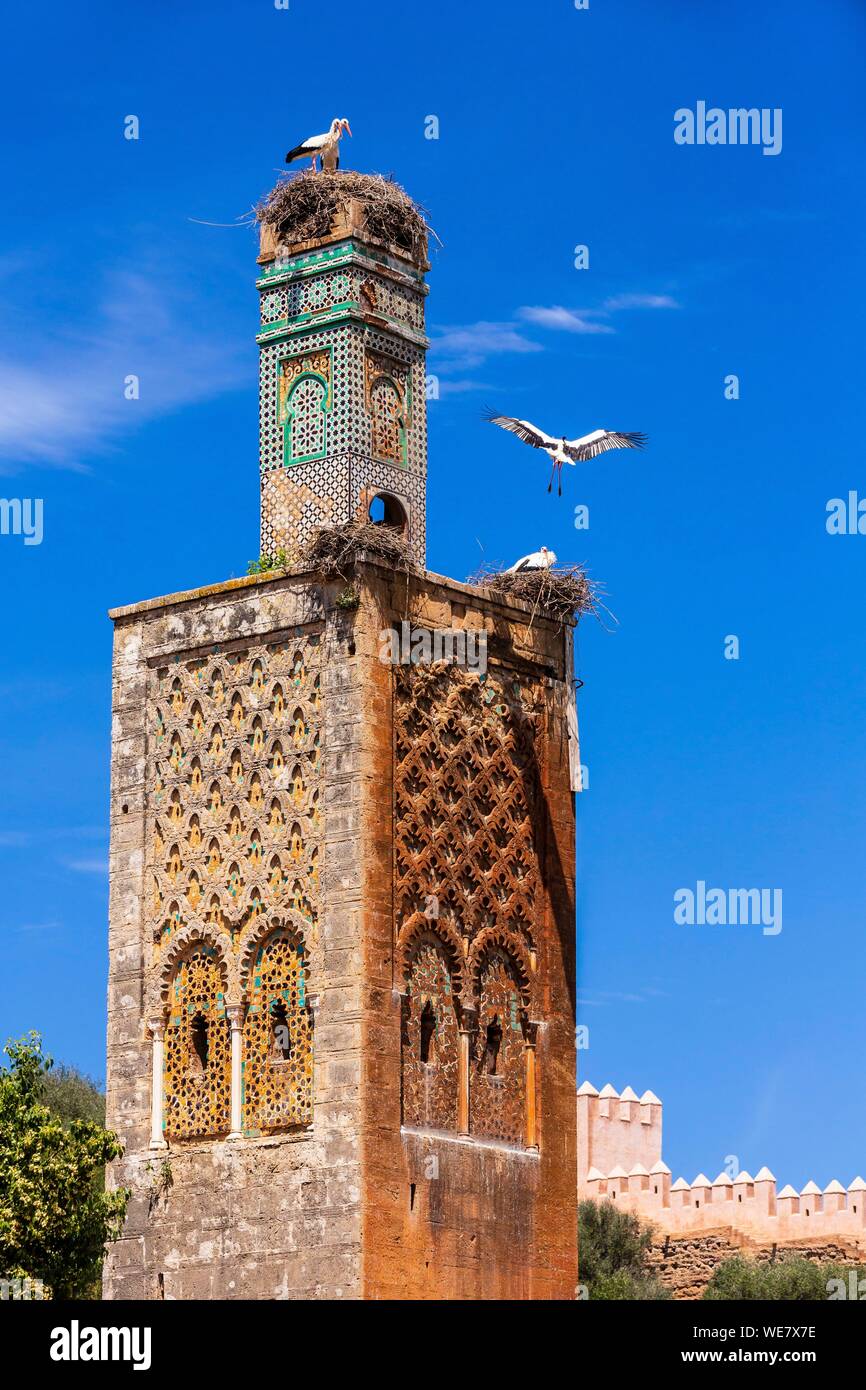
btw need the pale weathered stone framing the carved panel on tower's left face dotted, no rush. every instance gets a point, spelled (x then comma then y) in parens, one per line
(259, 1217)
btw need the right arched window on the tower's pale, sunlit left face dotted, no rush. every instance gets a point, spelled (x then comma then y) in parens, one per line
(279, 1039)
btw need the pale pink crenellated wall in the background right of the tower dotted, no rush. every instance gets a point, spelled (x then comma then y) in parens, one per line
(619, 1145)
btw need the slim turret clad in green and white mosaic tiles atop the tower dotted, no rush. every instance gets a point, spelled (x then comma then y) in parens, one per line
(343, 375)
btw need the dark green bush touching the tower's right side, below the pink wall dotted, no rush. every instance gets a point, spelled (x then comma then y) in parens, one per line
(614, 1249)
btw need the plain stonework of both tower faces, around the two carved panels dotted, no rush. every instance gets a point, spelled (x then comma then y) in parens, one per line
(348, 1207)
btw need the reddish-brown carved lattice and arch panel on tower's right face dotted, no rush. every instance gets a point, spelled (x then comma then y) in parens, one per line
(468, 879)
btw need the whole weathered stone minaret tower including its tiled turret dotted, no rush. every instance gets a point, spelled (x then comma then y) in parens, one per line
(341, 1000)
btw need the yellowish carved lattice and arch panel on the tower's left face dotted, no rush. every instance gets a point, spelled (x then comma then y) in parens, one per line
(234, 817)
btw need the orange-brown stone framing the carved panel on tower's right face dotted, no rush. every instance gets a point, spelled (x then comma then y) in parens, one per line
(451, 1216)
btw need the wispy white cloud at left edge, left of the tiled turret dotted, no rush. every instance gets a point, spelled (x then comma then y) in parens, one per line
(59, 405)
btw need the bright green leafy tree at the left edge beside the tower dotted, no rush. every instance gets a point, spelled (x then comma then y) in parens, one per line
(56, 1220)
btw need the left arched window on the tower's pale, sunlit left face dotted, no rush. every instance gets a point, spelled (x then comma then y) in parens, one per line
(198, 1050)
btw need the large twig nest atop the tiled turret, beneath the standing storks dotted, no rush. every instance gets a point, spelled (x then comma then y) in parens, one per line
(304, 206)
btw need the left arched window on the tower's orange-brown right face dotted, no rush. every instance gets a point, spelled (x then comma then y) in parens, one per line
(430, 1045)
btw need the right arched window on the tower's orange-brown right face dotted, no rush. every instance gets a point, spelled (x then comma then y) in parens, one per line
(498, 1072)
